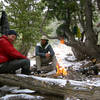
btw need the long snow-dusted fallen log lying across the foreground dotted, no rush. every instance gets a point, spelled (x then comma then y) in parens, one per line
(49, 87)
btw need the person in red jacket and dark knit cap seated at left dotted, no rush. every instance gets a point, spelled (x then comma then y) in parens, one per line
(10, 59)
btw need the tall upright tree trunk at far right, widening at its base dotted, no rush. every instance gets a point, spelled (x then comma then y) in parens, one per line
(91, 38)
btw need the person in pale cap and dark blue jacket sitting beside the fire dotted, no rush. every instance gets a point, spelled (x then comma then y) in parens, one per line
(44, 54)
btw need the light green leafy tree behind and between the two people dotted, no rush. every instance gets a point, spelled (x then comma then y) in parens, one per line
(25, 17)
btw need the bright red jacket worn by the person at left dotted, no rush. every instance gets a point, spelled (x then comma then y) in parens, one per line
(7, 51)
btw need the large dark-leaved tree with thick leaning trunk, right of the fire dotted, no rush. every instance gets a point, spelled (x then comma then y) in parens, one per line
(76, 12)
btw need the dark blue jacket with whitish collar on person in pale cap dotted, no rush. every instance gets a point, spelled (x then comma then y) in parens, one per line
(41, 51)
